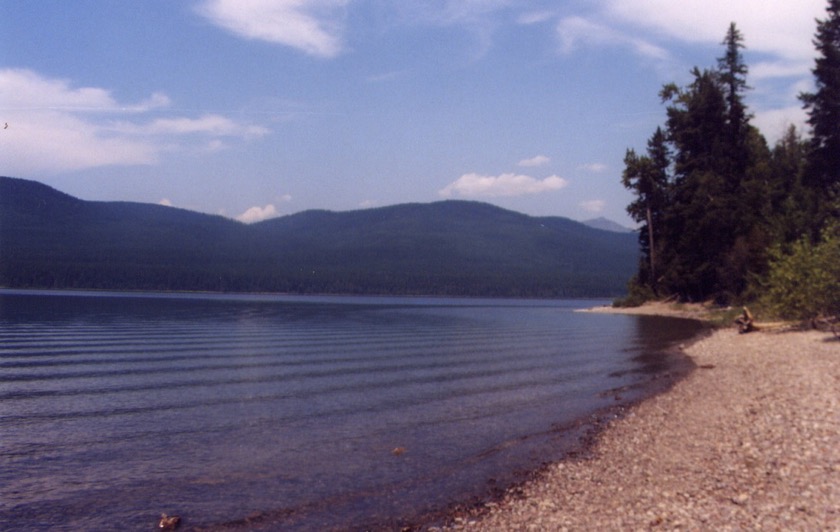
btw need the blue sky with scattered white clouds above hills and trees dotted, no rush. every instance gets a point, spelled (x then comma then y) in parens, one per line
(253, 109)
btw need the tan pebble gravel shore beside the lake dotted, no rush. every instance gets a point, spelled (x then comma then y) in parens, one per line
(749, 441)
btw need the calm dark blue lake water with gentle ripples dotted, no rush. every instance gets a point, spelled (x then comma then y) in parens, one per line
(295, 413)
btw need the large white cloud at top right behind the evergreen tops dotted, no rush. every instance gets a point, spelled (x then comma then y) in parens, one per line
(777, 34)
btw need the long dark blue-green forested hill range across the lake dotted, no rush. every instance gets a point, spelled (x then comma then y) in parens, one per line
(49, 239)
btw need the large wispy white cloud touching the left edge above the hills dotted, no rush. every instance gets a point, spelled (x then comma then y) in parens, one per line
(54, 126)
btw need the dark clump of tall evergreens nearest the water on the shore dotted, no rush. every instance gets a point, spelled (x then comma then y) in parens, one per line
(710, 231)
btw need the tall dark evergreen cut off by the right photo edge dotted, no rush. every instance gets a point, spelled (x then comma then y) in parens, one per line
(822, 176)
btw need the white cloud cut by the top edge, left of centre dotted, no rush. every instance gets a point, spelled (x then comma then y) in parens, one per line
(313, 26)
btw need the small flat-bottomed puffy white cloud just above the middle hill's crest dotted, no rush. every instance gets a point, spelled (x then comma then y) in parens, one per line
(475, 185)
